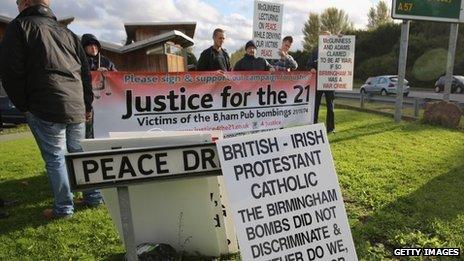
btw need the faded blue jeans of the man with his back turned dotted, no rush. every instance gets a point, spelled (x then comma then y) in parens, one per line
(53, 140)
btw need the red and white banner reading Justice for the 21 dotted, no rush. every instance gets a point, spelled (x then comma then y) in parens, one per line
(233, 102)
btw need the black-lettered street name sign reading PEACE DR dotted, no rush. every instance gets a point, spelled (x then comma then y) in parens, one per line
(122, 166)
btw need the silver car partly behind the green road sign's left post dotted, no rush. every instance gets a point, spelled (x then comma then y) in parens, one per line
(383, 85)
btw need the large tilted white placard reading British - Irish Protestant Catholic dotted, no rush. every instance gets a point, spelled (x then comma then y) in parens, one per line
(285, 196)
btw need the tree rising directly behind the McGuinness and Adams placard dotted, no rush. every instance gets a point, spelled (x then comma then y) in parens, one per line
(332, 19)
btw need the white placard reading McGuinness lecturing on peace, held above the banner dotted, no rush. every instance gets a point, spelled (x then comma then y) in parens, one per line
(267, 29)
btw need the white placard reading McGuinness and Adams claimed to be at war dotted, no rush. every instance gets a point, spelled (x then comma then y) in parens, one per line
(335, 63)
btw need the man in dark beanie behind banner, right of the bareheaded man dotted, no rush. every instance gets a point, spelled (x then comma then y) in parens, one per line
(250, 62)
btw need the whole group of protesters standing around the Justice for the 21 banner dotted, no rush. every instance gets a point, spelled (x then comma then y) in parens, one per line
(45, 69)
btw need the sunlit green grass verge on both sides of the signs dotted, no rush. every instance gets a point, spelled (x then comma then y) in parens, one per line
(402, 185)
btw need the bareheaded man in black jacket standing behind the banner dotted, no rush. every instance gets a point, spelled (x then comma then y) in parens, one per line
(215, 57)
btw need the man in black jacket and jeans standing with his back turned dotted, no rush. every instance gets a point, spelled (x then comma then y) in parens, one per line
(46, 75)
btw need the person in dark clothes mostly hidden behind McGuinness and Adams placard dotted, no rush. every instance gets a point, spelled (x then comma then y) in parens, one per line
(329, 95)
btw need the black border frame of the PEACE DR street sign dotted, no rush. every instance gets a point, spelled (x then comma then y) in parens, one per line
(69, 158)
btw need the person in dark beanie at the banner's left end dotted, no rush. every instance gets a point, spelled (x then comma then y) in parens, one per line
(92, 47)
